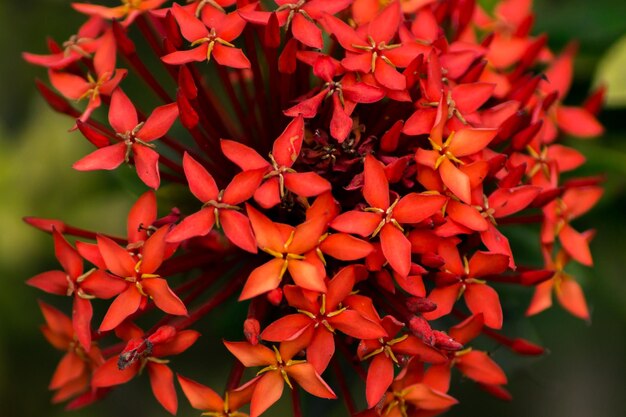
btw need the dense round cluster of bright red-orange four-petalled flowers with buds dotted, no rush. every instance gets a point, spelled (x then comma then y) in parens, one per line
(356, 164)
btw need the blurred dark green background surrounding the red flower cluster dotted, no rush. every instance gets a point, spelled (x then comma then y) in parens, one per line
(584, 375)
